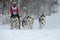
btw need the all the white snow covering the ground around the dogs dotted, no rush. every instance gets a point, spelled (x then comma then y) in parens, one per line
(51, 31)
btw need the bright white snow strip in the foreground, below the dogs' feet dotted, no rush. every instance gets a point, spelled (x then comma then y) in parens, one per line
(30, 34)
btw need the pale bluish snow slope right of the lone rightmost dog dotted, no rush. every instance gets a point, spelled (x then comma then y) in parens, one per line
(53, 21)
